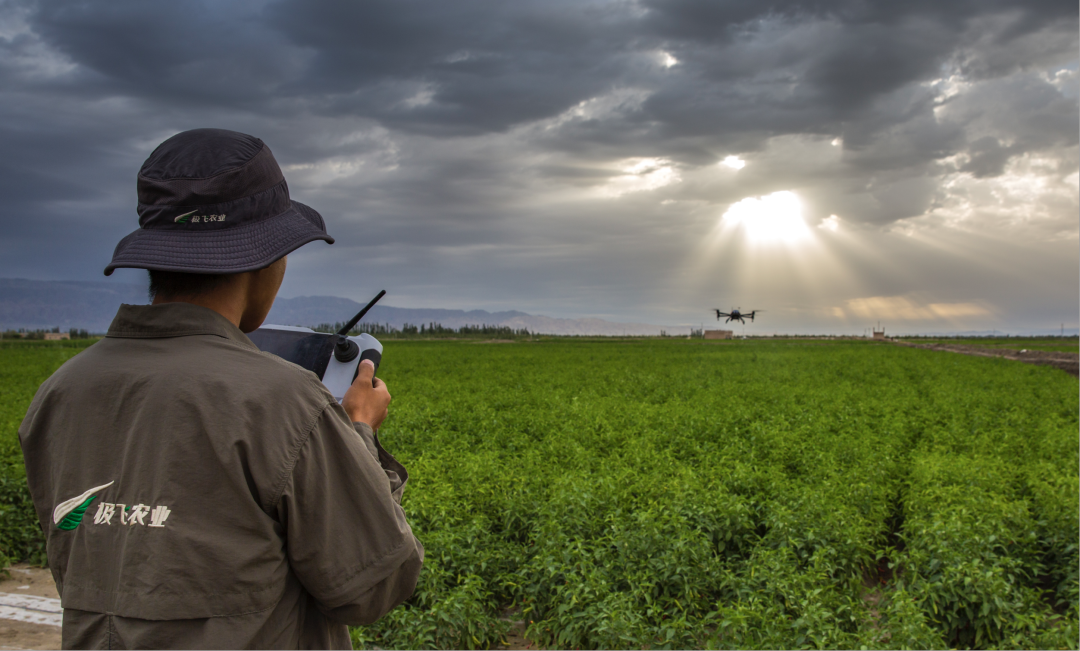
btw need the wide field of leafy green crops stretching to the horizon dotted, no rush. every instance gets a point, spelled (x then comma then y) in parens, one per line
(679, 494)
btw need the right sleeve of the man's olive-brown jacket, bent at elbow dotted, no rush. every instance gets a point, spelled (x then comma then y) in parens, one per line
(347, 538)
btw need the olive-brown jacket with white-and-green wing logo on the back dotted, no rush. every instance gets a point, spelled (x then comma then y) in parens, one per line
(197, 493)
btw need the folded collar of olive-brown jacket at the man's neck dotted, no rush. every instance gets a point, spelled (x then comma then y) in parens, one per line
(173, 320)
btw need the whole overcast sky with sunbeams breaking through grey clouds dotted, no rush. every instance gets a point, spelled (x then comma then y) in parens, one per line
(833, 164)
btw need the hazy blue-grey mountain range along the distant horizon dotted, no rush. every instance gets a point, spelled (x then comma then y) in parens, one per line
(91, 306)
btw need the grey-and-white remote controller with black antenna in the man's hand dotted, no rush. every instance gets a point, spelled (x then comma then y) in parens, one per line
(334, 358)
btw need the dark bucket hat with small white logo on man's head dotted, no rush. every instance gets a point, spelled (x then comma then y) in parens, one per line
(214, 201)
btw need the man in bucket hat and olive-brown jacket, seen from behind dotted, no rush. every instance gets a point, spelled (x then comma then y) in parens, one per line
(195, 492)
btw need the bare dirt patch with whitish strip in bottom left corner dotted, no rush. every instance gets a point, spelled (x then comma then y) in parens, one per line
(28, 595)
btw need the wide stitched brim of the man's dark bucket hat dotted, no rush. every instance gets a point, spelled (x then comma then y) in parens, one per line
(237, 250)
